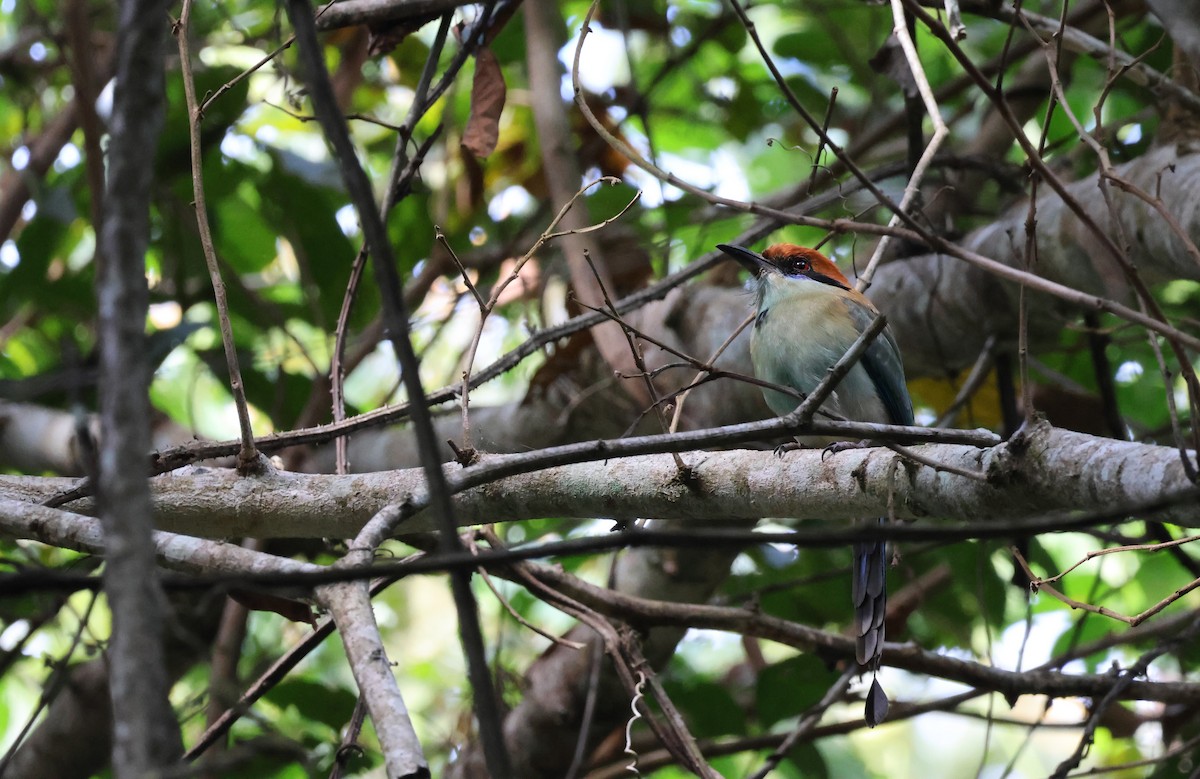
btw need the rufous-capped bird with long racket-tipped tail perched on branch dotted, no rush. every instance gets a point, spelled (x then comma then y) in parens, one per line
(808, 316)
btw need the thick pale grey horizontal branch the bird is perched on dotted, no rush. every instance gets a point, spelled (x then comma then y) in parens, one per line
(1045, 471)
